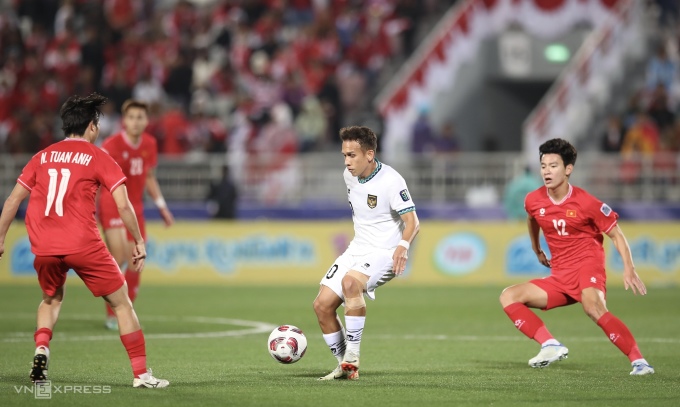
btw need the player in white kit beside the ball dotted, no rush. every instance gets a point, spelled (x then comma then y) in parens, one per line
(385, 224)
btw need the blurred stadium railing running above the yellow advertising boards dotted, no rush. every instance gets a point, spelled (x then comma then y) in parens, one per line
(439, 179)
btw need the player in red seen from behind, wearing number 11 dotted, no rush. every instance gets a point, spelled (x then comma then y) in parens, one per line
(62, 181)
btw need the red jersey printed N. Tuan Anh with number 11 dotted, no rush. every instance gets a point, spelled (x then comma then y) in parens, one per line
(63, 180)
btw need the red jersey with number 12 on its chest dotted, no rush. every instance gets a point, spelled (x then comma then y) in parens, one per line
(572, 228)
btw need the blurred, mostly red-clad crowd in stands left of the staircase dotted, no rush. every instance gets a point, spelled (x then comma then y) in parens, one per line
(273, 76)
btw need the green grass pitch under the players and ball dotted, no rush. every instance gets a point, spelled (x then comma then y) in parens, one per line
(422, 346)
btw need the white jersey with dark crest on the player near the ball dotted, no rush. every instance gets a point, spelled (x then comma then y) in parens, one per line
(377, 202)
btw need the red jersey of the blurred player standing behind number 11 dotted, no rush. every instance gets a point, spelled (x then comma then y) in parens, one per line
(135, 160)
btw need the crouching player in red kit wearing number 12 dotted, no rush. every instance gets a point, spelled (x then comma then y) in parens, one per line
(572, 222)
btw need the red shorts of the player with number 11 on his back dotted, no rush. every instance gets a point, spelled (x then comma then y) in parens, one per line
(95, 266)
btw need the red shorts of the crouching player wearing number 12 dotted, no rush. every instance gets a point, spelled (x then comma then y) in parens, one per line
(565, 287)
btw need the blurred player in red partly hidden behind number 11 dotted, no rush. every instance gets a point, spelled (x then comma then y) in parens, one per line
(136, 152)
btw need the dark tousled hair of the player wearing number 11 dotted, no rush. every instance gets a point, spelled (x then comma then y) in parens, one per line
(77, 113)
